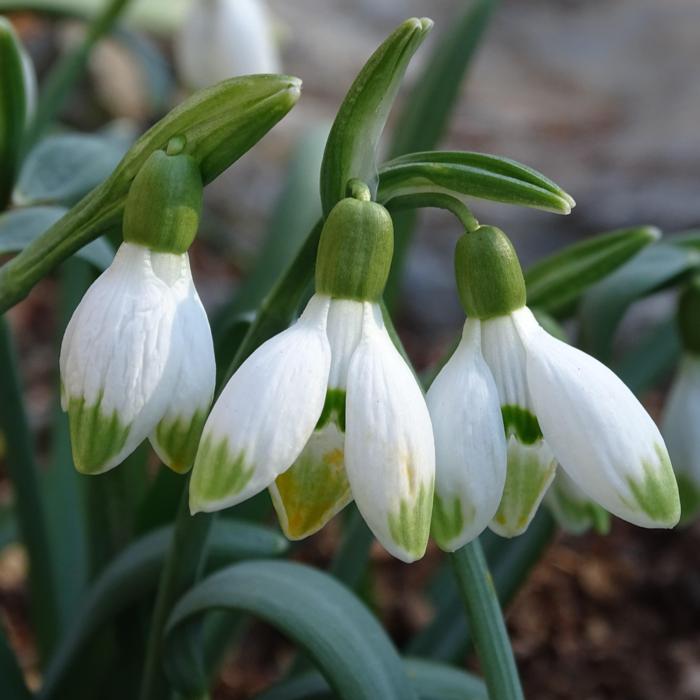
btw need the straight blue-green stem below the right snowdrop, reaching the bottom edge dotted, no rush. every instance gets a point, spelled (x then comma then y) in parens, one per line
(486, 620)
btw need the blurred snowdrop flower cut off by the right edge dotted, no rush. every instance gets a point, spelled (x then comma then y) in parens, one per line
(681, 418)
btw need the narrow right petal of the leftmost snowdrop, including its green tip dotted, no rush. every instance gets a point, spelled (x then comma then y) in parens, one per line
(176, 436)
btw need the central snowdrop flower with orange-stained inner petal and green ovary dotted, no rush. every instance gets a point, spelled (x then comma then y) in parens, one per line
(329, 411)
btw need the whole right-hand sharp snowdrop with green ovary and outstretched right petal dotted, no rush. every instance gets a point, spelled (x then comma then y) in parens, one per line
(556, 403)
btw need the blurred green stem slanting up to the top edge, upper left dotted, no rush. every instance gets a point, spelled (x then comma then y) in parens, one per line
(61, 79)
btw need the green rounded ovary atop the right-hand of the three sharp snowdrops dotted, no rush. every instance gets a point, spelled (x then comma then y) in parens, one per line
(489, 277)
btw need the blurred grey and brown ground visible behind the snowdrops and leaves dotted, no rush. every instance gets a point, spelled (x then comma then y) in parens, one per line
(603, 97)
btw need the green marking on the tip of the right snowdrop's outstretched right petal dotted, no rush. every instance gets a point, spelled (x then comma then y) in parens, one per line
(657, 493)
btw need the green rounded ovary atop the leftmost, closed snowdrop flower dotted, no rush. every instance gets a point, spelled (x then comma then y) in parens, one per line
(165, 202)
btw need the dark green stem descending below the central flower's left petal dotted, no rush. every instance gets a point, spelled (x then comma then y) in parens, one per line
(183, 567)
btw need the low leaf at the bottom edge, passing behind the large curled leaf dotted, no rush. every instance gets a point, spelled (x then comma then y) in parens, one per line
(431, 680)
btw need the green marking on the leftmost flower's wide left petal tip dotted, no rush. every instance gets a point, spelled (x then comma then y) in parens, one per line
(95, 437)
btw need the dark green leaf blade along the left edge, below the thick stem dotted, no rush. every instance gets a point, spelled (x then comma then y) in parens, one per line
(29, 506)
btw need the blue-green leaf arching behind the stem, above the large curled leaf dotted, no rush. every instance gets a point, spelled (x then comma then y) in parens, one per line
(134, 573)
